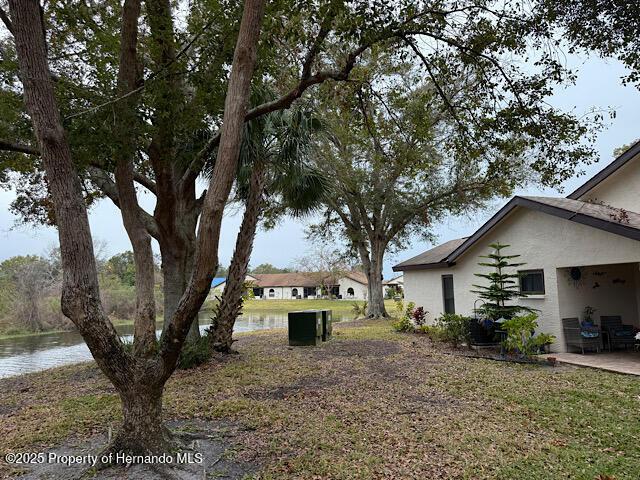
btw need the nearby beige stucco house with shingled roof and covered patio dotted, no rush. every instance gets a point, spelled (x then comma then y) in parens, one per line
(583, 250)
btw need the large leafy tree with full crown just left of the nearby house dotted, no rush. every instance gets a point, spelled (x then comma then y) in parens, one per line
(407, 149)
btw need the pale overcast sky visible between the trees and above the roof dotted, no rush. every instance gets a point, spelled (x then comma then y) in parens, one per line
(598, 85)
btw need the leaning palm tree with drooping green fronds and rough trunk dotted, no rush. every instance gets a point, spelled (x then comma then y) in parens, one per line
(276, 177)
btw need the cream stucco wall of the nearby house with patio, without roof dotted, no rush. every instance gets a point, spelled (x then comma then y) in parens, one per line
(544, 242)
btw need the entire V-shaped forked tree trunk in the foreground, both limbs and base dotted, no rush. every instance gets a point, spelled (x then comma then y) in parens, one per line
(139, 381)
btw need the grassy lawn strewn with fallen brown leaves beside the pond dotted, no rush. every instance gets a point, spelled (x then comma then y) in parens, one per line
(369, 404)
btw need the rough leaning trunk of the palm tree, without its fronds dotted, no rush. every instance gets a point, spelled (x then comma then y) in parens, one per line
(231, 302)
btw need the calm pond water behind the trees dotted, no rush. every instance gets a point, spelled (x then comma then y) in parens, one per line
(33, 353)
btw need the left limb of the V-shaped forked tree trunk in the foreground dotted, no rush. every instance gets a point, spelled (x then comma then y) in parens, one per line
(80, 291)
